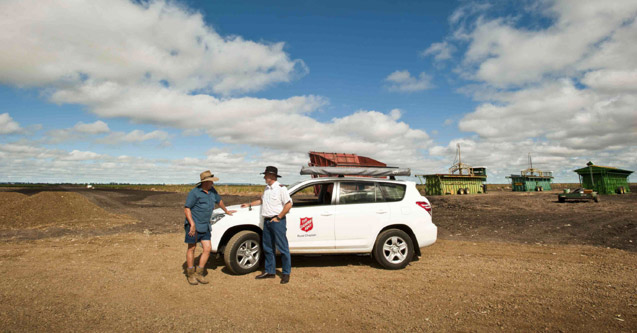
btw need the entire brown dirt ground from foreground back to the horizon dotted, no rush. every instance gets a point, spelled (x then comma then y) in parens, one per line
(504, 261)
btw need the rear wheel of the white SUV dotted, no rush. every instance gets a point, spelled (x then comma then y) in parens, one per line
(394, 249)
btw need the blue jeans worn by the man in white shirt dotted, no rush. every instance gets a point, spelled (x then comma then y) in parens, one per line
(274, 235)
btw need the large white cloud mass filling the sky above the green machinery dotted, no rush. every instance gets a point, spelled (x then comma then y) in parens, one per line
(566, 91)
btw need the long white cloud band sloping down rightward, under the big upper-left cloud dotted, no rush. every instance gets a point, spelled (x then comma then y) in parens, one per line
(253, 121)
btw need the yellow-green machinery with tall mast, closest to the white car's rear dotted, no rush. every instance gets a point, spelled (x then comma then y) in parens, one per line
(461, 179)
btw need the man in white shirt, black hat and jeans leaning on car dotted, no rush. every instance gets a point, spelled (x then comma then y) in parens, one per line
(276, 203)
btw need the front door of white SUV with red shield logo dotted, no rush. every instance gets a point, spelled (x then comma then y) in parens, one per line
(310, 222)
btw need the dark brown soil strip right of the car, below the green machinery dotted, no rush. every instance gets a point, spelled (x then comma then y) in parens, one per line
(537, 217)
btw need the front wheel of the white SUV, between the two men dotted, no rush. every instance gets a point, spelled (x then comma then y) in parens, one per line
(243, 252)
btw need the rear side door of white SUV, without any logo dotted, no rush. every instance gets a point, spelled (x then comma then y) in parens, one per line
(360, 212)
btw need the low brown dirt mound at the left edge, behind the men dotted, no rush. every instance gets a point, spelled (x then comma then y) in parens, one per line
(60, 209)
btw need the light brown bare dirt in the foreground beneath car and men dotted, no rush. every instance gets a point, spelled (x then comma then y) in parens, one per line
(135, 282)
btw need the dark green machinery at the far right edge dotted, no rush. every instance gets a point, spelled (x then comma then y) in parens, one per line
(604, 180)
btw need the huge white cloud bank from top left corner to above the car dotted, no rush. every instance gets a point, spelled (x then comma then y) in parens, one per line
(159, 63)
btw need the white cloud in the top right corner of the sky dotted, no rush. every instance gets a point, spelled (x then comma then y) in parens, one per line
(507, 55)
